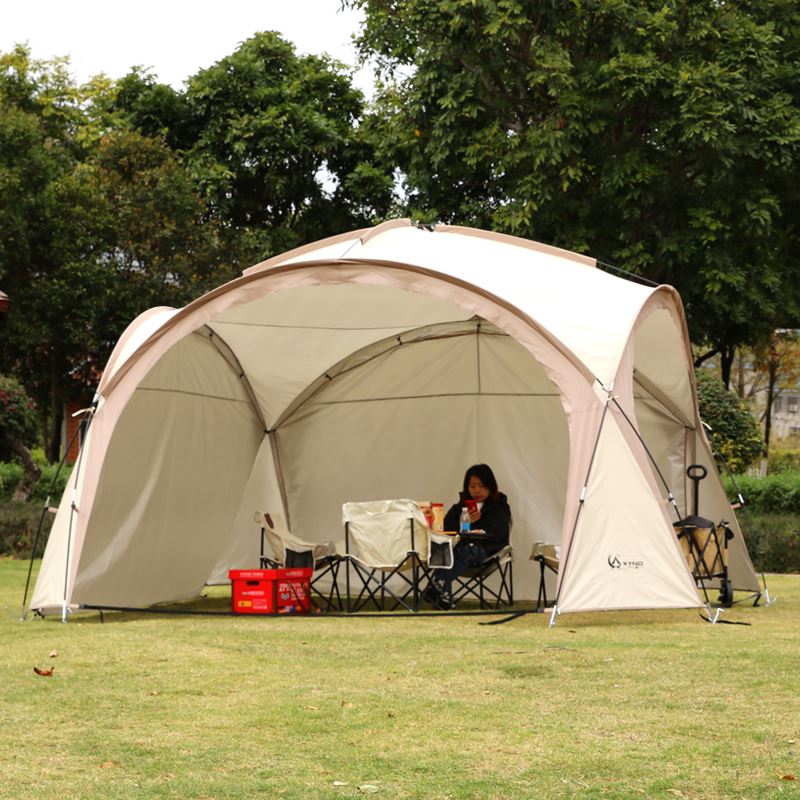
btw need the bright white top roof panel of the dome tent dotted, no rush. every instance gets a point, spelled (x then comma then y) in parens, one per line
(589, 311)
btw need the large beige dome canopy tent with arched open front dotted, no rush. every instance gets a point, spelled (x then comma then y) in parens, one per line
(381, 363)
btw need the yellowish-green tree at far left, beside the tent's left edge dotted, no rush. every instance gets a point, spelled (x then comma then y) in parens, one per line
(97, 224)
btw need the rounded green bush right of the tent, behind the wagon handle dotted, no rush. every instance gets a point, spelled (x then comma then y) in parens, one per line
(735, 434)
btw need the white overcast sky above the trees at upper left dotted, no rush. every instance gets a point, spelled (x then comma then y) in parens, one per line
(173, 38)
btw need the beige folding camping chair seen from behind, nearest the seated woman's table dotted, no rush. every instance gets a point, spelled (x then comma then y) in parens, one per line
(386, 542)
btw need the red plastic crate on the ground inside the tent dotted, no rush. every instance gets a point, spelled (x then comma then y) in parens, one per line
(270, 591)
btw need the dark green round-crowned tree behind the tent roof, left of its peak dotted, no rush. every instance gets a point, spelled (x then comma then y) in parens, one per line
(273, 142)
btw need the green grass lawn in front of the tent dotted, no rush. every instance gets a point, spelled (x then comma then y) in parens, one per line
(611, 705)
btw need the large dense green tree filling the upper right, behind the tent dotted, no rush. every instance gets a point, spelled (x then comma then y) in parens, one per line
(662, 137)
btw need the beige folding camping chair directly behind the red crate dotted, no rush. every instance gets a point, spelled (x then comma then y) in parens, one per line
(291, 552)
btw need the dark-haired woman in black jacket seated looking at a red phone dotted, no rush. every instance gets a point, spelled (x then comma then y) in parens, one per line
(492, 515)
